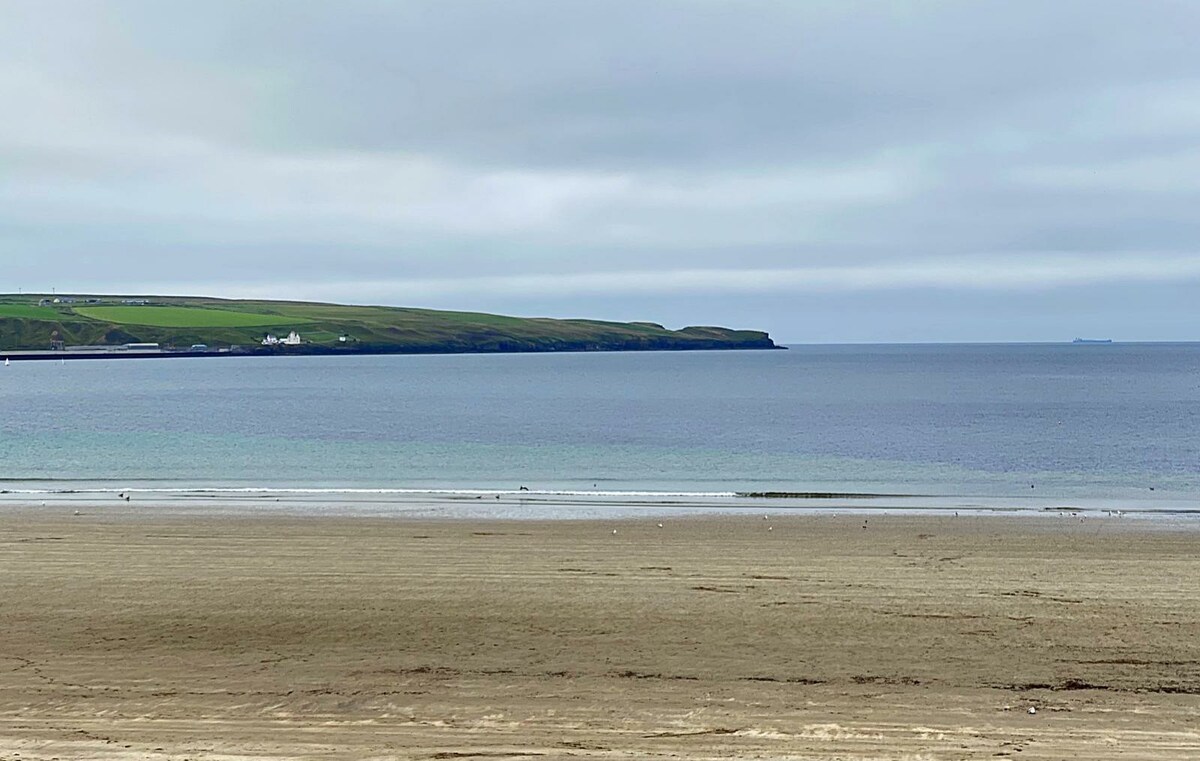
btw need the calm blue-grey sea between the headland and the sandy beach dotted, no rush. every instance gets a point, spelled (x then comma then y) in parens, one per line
(1037, 428)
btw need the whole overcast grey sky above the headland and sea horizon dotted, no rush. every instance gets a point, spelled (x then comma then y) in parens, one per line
(827, 171)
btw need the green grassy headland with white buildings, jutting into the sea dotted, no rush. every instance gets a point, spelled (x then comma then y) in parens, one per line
(41, 323)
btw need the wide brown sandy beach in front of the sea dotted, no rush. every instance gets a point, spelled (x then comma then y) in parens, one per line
(286, 638)
